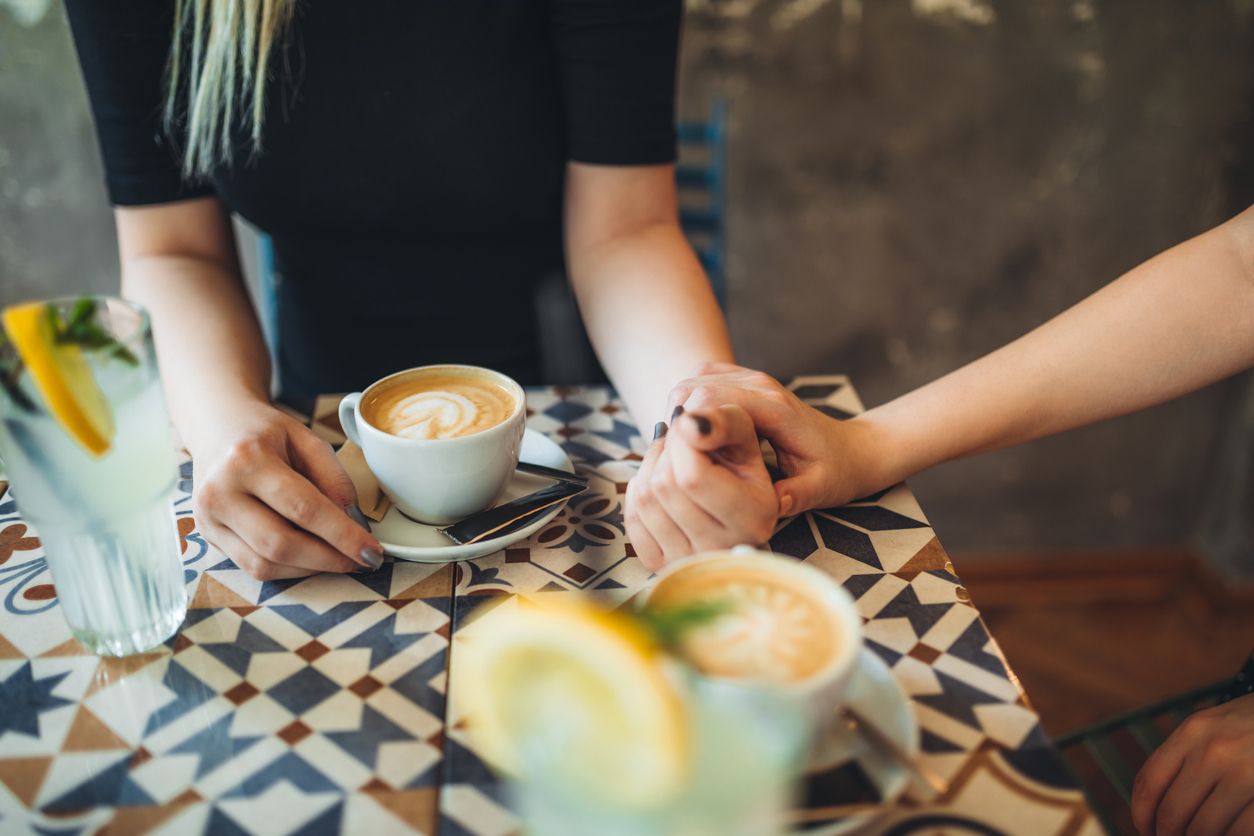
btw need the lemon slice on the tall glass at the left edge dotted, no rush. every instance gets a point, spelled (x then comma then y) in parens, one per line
(63, 377)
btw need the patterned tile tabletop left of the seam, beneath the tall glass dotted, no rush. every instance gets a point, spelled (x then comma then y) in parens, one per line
(313, 706)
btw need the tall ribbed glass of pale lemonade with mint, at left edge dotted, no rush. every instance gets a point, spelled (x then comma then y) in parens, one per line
(105, 518)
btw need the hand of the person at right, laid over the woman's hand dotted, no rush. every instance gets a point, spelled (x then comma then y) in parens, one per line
(826, 462)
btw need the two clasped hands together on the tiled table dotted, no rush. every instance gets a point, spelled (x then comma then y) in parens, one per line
(704, 483)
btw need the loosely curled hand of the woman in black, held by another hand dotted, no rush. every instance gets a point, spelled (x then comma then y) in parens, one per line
(703, 486)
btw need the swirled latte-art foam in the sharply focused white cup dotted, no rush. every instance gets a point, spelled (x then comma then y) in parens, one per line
(443, 407)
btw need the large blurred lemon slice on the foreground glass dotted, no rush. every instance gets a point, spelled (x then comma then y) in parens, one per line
(579, 695)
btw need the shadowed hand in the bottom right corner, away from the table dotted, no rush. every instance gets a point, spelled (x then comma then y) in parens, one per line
(1202, 779)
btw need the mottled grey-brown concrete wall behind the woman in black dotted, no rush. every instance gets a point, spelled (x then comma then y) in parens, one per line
(912, 185)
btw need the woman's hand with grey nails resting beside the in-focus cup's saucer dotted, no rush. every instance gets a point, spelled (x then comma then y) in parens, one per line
(273, 497)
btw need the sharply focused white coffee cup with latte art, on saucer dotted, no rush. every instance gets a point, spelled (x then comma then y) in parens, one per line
(442, 441)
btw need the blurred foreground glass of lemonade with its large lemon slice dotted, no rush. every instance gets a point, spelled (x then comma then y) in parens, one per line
(598, 730)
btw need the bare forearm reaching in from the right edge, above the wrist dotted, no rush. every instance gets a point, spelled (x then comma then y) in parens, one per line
(1181, 321)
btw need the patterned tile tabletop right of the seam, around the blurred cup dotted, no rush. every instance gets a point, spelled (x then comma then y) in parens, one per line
(979, 730)
